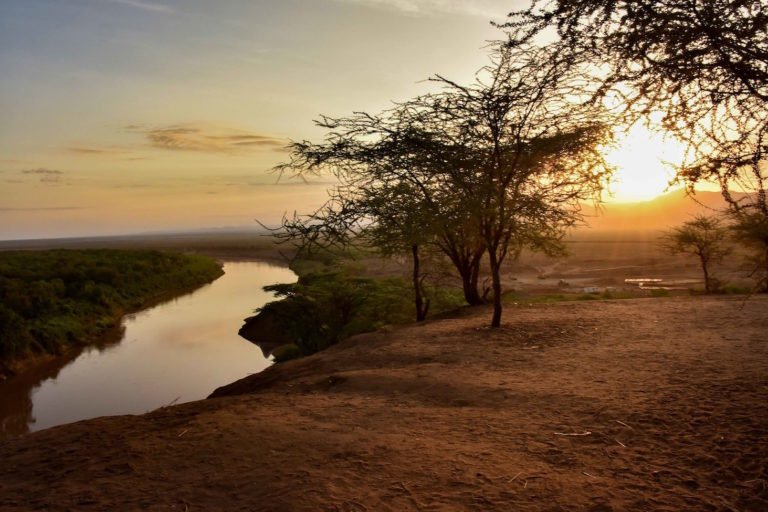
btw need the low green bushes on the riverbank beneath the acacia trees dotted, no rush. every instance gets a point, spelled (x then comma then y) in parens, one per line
(322, 309)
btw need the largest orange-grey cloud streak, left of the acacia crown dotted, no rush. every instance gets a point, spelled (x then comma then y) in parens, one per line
(213, 140)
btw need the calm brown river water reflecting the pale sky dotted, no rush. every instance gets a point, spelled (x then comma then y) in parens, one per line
(177, 351)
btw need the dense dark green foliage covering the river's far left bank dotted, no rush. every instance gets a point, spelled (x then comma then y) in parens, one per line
(50, 300)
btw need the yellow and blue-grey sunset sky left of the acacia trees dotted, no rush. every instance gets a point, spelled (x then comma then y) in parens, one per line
(125, 116)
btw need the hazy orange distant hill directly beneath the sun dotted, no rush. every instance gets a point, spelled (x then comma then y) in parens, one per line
(650, 217)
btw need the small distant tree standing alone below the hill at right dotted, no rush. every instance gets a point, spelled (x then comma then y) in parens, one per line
(704, 237)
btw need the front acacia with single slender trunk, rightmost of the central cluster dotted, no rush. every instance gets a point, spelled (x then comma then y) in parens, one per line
(530, 150)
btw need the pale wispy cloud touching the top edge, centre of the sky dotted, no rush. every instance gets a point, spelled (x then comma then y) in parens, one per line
(483, 8)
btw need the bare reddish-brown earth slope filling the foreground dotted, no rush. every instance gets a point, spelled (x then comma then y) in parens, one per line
(647, 404)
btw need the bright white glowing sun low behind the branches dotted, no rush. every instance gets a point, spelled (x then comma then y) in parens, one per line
(644, 163)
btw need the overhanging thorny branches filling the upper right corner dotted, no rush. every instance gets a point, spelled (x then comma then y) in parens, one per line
(702, 64)
